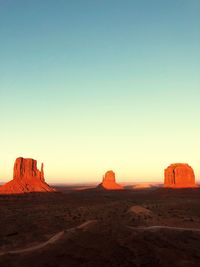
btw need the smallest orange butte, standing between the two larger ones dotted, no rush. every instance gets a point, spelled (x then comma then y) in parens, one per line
(109, 183)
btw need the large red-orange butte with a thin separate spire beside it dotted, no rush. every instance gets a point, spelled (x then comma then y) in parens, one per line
(26, 178)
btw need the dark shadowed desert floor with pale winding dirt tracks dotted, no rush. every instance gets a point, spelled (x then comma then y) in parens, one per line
(97, 228)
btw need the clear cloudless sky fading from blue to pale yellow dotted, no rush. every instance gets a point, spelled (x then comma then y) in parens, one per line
(88, 86)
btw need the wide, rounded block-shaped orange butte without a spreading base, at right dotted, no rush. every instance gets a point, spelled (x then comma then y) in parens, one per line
(179, 175)
